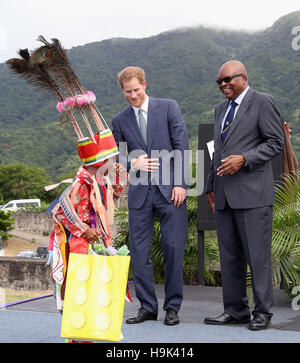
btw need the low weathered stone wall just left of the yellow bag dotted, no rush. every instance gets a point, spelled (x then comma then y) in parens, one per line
(25, 274)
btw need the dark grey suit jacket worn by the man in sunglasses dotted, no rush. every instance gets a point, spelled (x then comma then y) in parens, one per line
(257, 133)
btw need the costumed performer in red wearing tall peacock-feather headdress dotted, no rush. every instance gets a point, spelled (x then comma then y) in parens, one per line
(85, 209)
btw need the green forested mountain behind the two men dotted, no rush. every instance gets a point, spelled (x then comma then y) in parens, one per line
(181, 64)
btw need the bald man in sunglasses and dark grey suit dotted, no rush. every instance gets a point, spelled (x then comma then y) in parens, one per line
(248, 134)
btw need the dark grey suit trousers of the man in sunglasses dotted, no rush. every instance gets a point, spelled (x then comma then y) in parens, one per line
(245, 236)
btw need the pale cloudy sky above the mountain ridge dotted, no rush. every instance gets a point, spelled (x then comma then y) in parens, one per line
(77, 22)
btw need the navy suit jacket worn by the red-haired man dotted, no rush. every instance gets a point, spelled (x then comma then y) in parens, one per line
(166, 132)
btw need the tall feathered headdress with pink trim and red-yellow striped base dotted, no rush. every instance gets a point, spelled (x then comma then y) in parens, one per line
(49, 69)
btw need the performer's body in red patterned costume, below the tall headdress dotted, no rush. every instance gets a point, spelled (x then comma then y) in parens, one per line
(82, 215)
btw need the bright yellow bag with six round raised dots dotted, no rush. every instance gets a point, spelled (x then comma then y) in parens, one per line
(95, 297)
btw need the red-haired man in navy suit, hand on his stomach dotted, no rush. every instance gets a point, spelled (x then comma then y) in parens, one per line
(156, 138)
